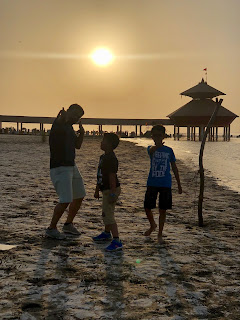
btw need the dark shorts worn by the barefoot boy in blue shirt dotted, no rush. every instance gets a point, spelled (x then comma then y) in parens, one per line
(165, 198)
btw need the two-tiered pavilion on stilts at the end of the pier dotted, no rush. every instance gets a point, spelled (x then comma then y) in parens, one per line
(196, 114)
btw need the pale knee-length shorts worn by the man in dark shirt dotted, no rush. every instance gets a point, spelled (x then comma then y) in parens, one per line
(68, 183)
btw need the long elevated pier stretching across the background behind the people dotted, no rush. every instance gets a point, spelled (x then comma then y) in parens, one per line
(20, 120)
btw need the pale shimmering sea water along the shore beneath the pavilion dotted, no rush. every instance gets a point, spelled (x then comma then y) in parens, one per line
(220, 159)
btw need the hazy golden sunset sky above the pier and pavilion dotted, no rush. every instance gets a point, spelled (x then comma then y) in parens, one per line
(160, 47)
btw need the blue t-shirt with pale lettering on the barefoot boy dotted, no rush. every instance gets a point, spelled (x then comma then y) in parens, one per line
(159, 174)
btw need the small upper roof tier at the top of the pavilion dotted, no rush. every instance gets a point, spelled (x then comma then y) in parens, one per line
(202, 91)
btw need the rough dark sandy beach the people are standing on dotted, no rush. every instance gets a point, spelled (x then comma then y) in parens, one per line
(195, 275)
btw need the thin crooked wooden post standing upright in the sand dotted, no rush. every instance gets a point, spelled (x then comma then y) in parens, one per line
(201, 169)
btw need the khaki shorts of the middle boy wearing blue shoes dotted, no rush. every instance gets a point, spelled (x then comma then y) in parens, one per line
(108, 208)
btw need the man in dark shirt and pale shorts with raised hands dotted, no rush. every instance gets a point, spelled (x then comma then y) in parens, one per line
(64, 173)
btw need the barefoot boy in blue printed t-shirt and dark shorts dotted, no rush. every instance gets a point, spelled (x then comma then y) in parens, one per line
(160, 180)
